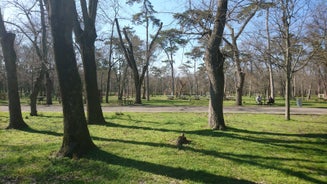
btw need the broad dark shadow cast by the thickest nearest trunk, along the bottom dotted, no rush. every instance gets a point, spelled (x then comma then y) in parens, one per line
(176, 173)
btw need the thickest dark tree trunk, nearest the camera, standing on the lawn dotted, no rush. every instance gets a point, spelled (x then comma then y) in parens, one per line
(76, 140)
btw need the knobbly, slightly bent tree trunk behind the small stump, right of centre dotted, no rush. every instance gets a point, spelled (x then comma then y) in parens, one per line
(214, 64)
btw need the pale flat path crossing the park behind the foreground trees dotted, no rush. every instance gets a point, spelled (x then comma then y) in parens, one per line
(232, 109)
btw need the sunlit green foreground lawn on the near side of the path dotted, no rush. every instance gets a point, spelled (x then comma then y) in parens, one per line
(139, 148)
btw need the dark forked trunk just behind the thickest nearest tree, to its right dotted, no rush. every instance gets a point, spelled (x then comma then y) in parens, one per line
(86, 39)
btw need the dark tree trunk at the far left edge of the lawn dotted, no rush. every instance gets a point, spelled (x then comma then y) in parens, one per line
(7, 43)
